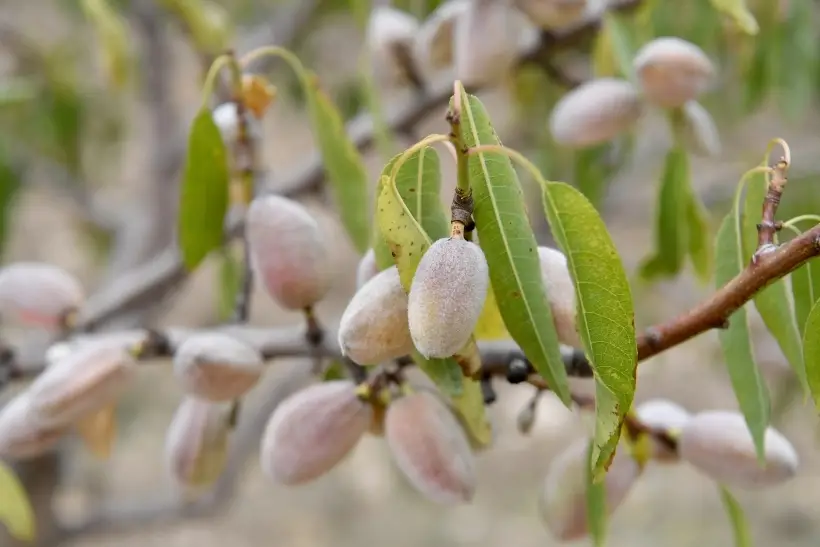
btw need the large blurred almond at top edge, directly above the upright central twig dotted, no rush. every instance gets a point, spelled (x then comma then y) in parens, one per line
(486, 40)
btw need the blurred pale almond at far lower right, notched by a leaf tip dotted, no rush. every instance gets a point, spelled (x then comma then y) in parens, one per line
(719, 444)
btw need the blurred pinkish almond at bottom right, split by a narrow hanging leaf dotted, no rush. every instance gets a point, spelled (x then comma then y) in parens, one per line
(562, 500)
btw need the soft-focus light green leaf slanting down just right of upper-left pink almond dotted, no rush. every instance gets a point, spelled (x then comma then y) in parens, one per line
(343, 163)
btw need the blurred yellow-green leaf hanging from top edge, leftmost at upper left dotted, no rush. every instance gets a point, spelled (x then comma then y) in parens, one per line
(113, 34)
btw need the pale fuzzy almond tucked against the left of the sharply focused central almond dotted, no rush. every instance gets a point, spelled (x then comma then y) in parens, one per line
(374, 327)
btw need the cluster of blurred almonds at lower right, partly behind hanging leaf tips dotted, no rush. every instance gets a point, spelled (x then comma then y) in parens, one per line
(717, 443)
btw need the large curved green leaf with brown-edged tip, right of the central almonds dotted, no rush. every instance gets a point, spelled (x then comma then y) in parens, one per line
(606, 315)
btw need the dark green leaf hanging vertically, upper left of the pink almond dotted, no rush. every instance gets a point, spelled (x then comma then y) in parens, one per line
(204, 200)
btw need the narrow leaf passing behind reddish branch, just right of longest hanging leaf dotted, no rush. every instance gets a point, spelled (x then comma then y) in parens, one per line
(774, 302)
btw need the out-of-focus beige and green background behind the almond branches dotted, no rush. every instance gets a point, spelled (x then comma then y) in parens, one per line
(94, 107)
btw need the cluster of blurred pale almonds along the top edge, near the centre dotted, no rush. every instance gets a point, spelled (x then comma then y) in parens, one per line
(475, 41)
